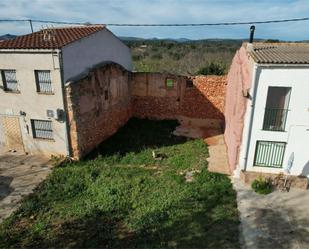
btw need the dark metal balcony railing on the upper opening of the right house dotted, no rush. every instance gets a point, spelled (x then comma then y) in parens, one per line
(275, 119)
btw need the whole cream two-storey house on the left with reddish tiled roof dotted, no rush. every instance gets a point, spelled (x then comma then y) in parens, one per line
(34, 69)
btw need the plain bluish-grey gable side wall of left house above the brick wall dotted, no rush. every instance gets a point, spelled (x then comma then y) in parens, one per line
(91, 50)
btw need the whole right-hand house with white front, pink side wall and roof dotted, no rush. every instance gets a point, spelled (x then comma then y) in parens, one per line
(267, 108)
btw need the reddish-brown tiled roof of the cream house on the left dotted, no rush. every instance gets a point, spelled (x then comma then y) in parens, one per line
(51, 38)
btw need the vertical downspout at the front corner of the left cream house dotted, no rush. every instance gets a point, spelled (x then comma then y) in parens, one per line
(67, 128)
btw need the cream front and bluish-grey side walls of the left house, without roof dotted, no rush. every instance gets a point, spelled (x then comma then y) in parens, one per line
(20, 109)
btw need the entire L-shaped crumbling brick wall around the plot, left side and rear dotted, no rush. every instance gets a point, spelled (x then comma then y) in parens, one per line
(100, 101)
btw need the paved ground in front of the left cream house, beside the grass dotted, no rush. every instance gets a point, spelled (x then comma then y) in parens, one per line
(19, 175)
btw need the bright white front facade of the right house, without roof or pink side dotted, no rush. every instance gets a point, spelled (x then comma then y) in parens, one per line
(296, 133)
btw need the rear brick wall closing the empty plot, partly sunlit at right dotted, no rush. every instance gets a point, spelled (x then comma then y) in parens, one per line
(199, 97)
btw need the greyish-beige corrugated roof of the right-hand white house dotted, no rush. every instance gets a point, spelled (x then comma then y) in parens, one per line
(280, 53)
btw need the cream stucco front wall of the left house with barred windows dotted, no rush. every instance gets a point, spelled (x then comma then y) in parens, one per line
(31, 102)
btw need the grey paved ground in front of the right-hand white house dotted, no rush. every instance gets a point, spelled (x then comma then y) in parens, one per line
(277, 220)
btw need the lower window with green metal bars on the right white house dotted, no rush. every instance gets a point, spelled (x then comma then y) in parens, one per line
(269, 154)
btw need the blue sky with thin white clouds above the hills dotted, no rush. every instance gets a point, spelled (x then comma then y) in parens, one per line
(165, 11)
